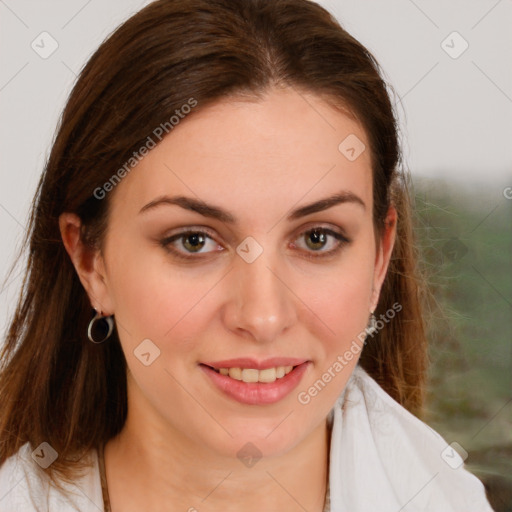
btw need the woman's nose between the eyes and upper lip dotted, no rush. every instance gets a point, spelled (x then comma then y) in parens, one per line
(261, 302)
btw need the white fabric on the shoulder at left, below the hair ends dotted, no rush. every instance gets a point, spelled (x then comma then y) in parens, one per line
(24, 486)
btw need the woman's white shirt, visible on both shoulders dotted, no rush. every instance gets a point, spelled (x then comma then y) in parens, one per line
(382, 459)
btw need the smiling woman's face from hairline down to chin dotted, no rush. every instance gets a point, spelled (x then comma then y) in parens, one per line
(250, 279)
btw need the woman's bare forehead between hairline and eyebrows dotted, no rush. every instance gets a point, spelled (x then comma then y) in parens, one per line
(254, 156)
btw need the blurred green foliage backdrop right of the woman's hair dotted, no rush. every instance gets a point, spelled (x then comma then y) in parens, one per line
(465, 237)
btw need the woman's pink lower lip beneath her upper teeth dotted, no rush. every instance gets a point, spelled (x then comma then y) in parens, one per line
(257, 393)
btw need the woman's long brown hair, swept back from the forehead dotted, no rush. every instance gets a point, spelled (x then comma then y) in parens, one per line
(57, 386)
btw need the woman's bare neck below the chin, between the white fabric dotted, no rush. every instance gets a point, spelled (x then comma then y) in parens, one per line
(164, 470)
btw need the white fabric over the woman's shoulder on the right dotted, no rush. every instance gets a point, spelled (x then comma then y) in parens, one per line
(385, 458)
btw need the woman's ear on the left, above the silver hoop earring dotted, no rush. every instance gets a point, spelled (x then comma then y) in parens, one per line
(88, 263)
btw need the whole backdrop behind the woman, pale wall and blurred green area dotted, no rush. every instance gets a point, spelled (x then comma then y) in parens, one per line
(448, 67)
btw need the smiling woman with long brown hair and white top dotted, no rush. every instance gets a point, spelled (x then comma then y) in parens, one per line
(224, 192)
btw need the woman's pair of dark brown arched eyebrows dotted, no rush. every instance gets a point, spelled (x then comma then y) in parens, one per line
(215, 212)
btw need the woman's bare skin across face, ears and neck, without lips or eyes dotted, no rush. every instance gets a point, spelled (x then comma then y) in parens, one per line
(257, 160)
